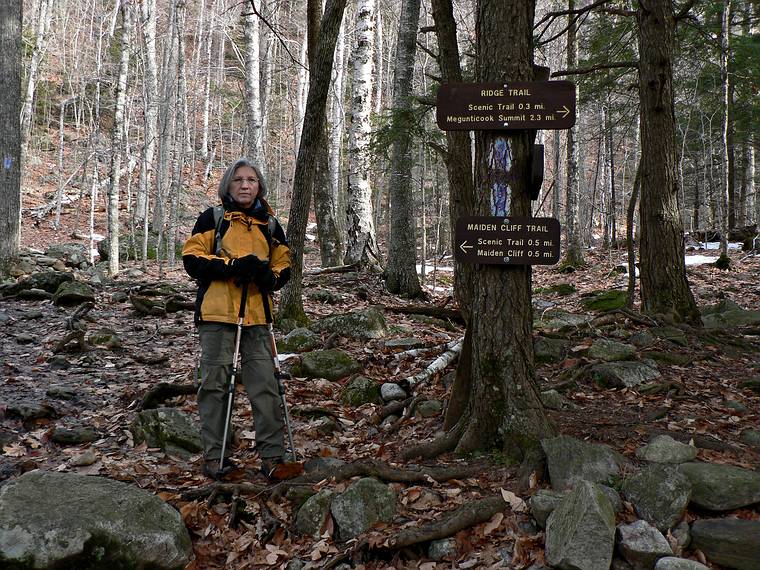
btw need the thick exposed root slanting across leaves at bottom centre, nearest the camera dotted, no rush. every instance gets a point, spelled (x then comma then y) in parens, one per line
(467, 515)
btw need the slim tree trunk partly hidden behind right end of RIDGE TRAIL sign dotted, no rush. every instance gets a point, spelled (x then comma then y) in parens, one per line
(573, 252)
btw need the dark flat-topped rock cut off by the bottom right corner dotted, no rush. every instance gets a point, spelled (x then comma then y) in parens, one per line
(733, 543)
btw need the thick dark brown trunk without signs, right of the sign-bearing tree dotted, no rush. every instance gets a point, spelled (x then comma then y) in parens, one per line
(664, 286)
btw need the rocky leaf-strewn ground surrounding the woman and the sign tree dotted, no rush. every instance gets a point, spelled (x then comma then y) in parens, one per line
(74, 378)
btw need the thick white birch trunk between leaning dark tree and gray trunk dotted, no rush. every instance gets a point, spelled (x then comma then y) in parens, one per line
(361, 245)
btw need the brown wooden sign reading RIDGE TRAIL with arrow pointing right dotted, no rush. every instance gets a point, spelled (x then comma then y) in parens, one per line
(506, 106)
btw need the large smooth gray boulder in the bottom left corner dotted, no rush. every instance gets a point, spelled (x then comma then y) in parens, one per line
(56, 520)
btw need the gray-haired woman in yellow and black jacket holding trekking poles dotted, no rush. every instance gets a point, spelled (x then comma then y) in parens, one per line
(243, 252)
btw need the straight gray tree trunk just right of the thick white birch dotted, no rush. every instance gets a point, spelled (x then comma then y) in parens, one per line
(401, 271)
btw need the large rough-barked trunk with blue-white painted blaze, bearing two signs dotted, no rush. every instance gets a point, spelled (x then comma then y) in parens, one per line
(504, 409)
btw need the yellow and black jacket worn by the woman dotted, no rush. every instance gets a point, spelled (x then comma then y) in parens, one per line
(243, 232)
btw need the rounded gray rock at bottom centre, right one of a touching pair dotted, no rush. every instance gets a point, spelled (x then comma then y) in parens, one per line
(364, 503)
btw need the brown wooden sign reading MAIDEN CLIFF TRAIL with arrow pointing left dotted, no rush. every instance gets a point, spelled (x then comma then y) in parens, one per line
(507, 241)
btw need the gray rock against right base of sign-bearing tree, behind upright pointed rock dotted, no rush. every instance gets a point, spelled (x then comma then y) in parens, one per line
(570, 460)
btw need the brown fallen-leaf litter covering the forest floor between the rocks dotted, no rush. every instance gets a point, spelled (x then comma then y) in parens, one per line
(107, 387)
